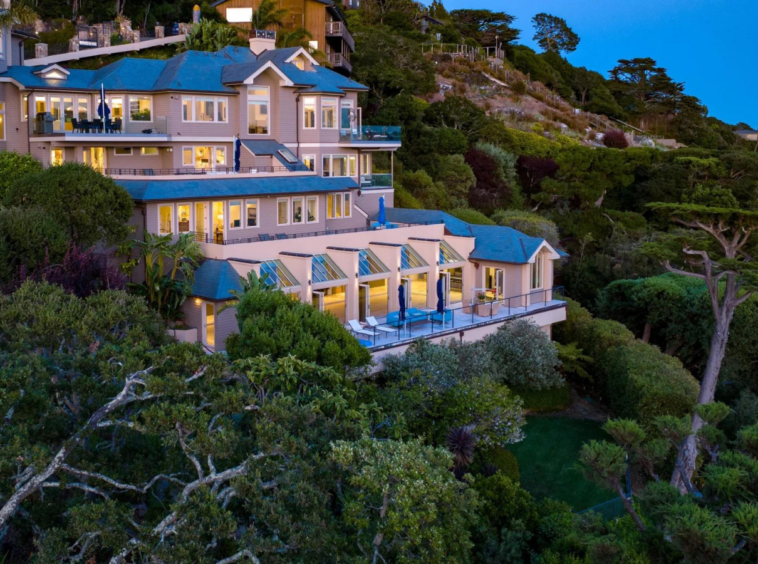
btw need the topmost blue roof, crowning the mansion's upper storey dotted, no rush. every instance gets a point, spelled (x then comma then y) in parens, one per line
(196, 71)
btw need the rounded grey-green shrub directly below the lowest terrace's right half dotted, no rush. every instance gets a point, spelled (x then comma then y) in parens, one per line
(523, 356)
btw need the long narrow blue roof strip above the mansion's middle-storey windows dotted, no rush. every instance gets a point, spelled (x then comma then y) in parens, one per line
(168, 190)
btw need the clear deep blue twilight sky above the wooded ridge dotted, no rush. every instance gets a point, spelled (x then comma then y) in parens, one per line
(710, 45)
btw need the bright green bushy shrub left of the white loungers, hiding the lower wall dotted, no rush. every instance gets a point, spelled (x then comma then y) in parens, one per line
(272, 323)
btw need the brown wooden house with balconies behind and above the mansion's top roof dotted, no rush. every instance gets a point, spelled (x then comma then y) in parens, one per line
(322, 18)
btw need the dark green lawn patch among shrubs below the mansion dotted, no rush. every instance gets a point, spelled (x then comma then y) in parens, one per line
(548, 460)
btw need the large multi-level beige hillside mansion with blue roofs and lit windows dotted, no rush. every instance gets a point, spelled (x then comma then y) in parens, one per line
(261, 154)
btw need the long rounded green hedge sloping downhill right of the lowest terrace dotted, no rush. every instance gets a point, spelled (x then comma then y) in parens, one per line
(635, 379)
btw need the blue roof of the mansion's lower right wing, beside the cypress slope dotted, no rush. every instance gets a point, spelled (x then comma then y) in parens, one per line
(493, 242)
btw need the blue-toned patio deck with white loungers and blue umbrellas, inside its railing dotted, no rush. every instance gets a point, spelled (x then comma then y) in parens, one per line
(429, 324)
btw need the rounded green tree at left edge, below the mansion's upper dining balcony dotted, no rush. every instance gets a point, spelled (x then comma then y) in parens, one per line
(91, 207)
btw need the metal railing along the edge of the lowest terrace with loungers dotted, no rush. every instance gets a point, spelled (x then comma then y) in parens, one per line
(457, 317)
